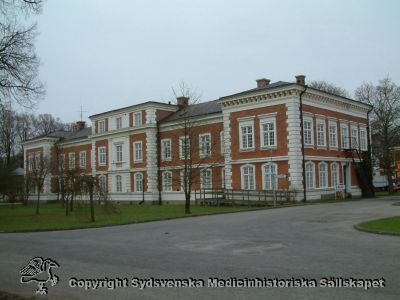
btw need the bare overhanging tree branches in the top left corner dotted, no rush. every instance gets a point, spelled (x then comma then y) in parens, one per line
(19, 63)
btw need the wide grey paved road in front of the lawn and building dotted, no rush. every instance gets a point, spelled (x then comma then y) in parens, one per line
(309, 241)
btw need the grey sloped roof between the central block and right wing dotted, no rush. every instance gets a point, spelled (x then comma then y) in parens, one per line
(195, 110)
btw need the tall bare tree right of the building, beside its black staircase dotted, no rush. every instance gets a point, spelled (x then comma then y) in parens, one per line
(385, 126)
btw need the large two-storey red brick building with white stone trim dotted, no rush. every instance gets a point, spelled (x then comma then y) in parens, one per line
(281, 135)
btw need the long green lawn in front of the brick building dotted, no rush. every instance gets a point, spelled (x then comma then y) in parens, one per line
(52, 216)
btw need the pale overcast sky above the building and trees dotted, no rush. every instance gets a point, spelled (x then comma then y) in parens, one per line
(110, 54)
